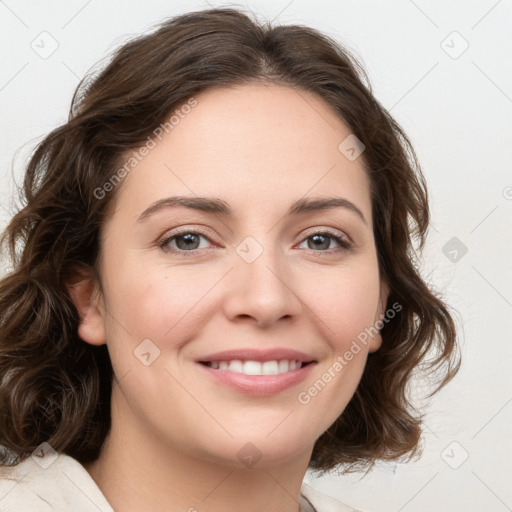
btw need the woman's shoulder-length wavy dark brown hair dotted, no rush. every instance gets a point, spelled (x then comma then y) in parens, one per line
(55, 387)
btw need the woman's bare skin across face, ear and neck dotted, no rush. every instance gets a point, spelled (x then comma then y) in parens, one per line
(175, 432)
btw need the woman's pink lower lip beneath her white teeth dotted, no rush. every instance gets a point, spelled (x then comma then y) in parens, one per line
(258, 385)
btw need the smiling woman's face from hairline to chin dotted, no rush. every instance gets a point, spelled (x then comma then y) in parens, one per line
(238, 272)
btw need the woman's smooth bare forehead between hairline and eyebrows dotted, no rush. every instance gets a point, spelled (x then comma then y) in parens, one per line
(252, 145)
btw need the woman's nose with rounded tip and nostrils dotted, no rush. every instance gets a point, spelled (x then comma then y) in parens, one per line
(262, 291)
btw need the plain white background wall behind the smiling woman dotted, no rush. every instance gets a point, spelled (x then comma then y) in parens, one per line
(458, 113)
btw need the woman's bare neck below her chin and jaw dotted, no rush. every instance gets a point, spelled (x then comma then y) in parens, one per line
(138, 472)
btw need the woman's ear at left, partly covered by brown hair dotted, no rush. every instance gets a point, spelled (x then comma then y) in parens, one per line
(84, 290)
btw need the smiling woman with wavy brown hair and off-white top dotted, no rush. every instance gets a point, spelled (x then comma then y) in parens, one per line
(214, 285)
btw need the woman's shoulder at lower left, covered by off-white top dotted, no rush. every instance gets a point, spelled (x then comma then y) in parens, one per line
(49, 482)
